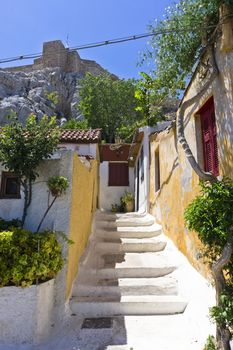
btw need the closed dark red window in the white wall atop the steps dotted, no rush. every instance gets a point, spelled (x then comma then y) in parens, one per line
(118, 174)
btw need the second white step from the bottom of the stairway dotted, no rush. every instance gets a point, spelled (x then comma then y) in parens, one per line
(166, 285)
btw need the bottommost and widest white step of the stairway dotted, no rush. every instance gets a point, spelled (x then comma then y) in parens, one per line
(128, 305)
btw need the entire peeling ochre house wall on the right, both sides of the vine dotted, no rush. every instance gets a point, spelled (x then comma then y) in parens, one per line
(179, 183)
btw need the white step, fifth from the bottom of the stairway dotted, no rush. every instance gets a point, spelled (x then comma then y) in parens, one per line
(130, 232)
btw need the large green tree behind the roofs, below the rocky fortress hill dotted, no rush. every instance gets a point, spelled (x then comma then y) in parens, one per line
(110, 104)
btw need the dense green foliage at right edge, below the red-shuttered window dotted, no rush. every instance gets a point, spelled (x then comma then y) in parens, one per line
(210, 213)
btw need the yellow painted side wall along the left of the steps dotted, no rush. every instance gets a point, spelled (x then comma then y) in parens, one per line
(83, 205)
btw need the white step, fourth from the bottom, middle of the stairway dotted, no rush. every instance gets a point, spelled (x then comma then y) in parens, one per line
(132, 245)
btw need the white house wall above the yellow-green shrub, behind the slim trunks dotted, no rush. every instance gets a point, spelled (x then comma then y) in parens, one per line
(60, 164)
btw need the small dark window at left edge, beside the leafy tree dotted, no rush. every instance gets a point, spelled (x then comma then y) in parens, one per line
(10, 185)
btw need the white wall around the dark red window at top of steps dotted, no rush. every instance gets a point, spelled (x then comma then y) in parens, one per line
(109, 195)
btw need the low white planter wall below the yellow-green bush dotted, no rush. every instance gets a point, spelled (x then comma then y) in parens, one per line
(26, 313)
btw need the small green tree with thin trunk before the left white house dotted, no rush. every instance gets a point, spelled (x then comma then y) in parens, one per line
(23, 148)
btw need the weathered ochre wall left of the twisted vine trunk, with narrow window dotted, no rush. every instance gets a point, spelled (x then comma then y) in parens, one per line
(178, 186)
